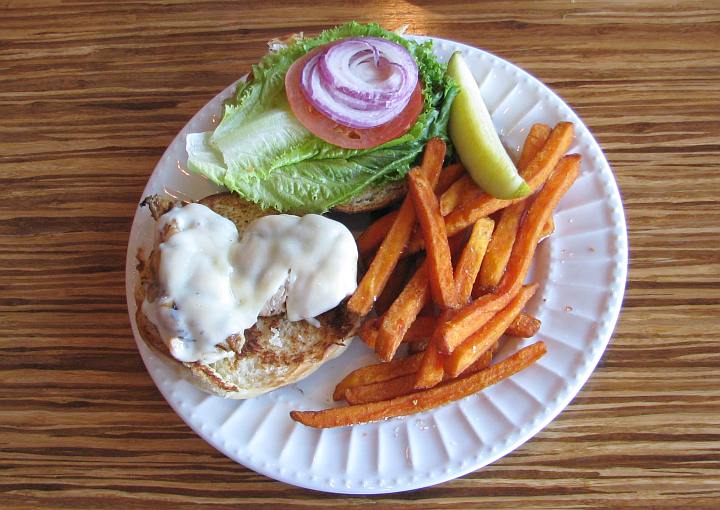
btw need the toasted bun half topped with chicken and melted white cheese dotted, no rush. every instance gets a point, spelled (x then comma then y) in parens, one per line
(246, 300)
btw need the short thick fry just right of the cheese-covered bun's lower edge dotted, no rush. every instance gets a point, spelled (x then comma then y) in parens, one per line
(402, 313)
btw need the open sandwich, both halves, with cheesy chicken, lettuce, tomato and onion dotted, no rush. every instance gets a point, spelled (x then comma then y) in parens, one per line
(330, 122)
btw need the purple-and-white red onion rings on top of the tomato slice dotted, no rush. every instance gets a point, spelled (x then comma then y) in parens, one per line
(362, 82)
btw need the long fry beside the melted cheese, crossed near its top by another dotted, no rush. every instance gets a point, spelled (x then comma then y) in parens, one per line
(374, 280)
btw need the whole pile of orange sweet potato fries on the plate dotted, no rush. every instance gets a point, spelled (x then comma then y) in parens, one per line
(451, 316)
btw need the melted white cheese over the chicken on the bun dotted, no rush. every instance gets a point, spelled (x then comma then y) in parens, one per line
(216, 285)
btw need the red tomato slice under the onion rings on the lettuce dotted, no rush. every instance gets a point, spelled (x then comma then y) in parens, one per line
(337, 134)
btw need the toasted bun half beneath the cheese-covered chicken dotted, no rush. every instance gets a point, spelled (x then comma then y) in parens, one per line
(275, 353)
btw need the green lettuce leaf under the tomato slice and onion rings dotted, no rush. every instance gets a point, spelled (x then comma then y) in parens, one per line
(261, 151)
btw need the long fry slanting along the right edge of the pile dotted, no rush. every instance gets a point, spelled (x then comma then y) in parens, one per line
(535, 219)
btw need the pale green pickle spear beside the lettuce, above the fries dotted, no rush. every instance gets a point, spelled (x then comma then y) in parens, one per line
(476, 140)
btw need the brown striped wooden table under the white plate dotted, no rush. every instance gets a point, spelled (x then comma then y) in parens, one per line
(91, 93)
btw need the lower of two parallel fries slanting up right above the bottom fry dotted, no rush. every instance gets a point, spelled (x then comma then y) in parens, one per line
(476, 344)
